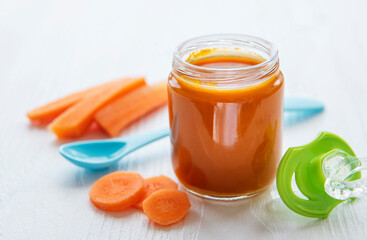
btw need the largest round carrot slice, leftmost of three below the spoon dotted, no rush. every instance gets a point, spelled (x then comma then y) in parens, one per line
(117, 191)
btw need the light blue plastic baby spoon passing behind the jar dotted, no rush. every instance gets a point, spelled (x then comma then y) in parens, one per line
(101, 154)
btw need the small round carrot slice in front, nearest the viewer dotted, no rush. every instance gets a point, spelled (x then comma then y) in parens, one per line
(166, 206)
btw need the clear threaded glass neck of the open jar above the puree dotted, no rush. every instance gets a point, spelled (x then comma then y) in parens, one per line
(226, 45)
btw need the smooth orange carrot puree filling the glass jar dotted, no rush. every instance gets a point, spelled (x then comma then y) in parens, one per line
(226, 142)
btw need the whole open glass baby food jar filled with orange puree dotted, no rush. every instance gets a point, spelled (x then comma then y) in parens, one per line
(225, 109)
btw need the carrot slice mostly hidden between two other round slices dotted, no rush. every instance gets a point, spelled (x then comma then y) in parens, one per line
(154, 184)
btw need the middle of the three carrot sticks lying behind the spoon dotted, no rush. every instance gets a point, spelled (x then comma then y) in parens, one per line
(75, 120)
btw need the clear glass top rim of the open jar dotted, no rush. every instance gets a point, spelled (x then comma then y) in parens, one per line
(273, 51)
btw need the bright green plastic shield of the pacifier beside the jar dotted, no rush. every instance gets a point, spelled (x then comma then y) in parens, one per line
(306, 163)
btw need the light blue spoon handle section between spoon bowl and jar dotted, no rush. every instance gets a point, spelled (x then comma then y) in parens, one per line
(139, 141)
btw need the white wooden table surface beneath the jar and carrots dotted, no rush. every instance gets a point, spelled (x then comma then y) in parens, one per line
(51, 48)
